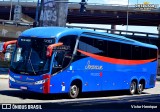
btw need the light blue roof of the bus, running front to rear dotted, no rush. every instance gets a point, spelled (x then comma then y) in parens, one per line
(51, 32)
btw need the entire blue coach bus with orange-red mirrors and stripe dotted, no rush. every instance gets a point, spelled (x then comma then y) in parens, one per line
(67, 60)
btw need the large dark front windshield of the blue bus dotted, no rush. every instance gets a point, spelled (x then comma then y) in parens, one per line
(30, 56)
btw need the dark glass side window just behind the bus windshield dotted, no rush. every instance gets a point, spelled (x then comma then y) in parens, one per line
(63, 54)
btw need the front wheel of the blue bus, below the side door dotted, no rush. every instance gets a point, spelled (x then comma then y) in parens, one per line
(74, 91)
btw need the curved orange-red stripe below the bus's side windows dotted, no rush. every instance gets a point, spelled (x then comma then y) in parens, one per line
(116, 61)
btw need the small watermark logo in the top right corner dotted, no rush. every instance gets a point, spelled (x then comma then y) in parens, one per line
(146, 6)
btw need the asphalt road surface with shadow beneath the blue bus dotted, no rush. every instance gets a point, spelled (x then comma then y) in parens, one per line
(108, 101)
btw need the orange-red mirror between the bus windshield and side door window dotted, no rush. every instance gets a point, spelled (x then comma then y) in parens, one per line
(51, 47)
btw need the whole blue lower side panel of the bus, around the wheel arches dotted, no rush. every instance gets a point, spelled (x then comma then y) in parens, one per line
(97, 76)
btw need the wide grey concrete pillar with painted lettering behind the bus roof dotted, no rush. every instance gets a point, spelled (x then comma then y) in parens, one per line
(53, 13)
